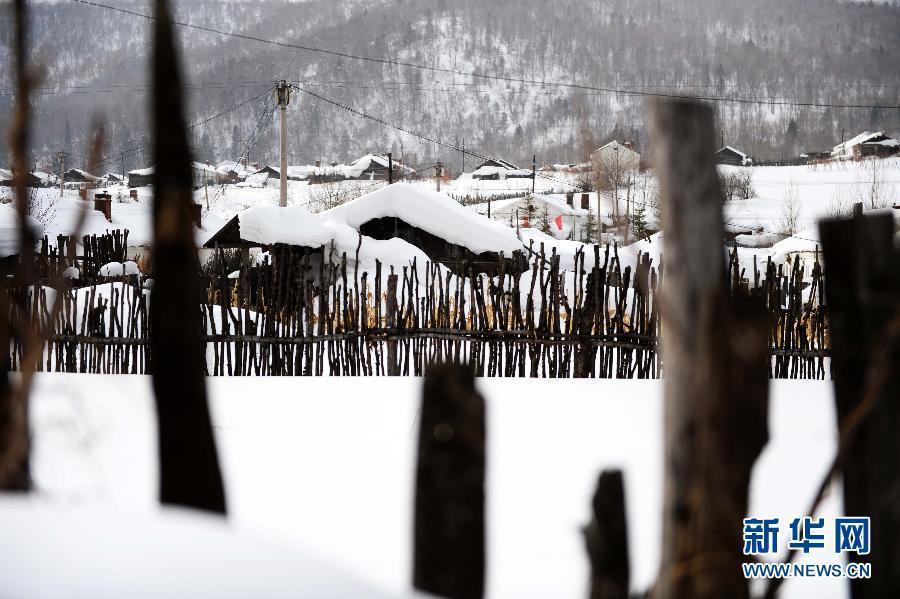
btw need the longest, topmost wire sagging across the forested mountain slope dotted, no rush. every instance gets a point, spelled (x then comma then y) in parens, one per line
(524, 81)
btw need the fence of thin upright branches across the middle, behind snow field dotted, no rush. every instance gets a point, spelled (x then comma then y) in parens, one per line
(297, 314)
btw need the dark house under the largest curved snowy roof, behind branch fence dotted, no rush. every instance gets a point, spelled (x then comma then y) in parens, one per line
(447, 232)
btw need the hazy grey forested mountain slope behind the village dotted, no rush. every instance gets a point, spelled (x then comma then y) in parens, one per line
(807, 51)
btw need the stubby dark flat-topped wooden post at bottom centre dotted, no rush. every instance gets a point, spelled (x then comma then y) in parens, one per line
(449, 553)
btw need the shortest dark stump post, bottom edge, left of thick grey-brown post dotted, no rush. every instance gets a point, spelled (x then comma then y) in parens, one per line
(606, 539)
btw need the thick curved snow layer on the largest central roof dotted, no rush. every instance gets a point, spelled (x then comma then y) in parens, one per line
(430, 211)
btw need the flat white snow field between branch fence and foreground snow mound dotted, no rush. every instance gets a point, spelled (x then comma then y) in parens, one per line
(326, 466)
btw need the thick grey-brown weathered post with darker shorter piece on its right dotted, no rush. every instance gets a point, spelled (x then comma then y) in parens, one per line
(715, 356)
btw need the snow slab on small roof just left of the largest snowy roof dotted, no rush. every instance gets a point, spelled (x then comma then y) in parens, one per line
(292, 225)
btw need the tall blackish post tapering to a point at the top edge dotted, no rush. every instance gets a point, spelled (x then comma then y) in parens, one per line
(189, 465)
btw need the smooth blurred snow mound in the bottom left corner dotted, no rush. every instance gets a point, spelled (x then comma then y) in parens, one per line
(173, 553)
